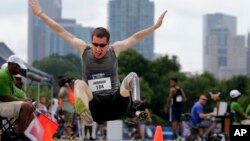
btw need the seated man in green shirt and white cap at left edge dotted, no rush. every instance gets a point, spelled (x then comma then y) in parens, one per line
(11, 105)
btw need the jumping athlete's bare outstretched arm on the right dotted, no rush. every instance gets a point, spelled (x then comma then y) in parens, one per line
(138, 36)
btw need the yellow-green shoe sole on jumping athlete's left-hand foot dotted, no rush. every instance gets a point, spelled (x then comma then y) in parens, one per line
(83, 111)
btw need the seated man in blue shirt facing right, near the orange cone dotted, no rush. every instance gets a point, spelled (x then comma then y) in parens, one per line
(201, 119)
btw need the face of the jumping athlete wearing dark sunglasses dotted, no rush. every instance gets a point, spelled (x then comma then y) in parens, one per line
(99, 46)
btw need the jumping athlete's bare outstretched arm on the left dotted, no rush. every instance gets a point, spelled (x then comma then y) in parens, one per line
(75, 42)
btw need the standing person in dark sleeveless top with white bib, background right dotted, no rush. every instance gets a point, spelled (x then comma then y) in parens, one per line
(173, 106)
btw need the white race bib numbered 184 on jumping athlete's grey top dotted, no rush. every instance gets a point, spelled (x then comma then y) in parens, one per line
(100, 84)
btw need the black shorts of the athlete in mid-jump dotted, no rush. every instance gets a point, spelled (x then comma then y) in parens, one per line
(109, 107)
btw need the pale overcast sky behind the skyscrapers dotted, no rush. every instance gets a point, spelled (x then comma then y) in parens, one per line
(179, 35)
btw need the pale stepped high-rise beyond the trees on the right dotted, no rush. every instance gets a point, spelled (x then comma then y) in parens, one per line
(224, 52)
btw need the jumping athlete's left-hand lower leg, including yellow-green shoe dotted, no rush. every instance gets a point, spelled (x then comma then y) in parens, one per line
(83, 95)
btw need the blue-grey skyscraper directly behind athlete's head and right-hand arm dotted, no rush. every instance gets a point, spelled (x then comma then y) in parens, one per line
(129, 16)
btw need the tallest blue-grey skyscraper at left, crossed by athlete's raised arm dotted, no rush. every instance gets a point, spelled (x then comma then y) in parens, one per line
(37, 30)
